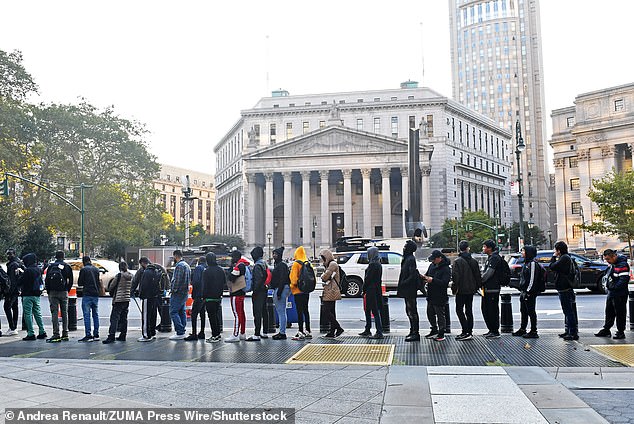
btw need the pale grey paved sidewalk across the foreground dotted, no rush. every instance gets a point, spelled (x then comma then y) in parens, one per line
(324, 393)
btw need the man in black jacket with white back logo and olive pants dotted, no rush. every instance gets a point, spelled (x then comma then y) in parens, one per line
(59, 281)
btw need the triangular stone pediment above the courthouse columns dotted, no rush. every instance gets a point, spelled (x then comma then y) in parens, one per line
(331, 140)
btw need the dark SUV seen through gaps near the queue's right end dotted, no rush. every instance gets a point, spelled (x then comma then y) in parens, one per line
(591, 271)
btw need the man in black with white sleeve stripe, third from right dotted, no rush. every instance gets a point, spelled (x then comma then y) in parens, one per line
(531, 282)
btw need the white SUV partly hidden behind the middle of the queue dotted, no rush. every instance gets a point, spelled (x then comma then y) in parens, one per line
(355, 263)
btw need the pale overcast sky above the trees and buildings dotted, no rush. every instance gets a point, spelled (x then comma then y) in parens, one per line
(187, 68)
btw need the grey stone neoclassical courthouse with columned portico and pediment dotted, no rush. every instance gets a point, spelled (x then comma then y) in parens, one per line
(337, 164)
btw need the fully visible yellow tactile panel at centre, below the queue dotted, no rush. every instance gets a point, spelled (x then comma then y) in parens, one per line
(352, 354)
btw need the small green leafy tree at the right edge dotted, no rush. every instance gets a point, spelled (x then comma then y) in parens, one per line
(614, 195)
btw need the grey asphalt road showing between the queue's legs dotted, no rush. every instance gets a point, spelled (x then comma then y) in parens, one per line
(350, 313)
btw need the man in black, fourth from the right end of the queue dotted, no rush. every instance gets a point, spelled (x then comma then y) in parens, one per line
(491, 286)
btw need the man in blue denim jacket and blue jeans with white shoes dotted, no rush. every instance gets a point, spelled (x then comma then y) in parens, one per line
(179, 292)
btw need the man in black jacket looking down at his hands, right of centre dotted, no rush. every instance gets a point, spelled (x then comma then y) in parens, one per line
(437, 279)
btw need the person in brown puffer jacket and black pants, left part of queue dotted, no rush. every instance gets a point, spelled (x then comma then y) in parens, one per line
(120, 286)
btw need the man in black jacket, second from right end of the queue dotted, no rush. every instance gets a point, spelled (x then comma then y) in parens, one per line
(561, 265)
